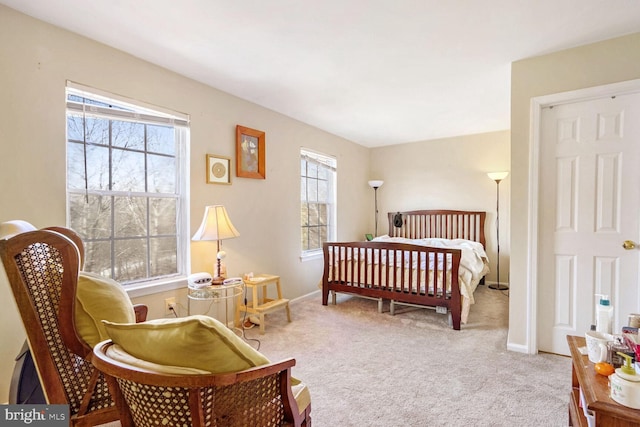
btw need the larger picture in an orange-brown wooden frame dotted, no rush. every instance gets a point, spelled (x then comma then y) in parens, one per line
(250, 153)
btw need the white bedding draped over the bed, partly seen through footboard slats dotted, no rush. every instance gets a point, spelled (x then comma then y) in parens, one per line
(474, 265)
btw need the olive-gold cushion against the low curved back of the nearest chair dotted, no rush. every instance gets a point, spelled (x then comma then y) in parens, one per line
(199, 342)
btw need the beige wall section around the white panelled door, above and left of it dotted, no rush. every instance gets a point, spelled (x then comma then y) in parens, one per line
(587, 66)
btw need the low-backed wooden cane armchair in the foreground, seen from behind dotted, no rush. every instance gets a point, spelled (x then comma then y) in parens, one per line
(260, 396)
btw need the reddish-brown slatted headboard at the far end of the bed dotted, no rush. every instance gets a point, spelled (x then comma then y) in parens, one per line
(440, 223)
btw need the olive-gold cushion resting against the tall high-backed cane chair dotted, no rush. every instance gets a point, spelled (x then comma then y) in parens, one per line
(98, 299)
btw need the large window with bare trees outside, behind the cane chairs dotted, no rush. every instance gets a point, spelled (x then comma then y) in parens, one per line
(127, 186)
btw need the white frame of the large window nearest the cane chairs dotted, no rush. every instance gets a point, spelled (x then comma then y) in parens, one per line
(145, 113)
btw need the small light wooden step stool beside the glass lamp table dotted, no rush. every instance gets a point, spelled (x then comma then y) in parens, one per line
(262, 305)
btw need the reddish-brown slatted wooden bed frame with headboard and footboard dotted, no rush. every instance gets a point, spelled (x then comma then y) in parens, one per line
(345, 262)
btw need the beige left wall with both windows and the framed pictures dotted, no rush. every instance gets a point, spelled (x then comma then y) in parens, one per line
(35, 61)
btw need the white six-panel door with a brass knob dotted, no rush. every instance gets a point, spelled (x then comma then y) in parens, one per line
(589, 204)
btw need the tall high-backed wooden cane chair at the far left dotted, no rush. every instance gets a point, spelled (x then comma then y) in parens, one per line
(42, 267)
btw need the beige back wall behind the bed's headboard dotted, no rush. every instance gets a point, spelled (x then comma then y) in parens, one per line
(448, 173)
